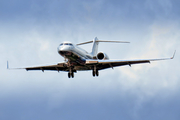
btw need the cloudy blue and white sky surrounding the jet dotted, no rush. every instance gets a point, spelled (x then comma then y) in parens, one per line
(30, 32)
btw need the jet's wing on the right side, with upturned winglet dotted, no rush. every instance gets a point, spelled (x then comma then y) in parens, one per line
(103, 64)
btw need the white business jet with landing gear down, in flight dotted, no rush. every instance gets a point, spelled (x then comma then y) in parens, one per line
(77, 59)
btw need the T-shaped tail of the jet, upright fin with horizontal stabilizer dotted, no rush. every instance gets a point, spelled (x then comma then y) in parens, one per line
(95, 42)
